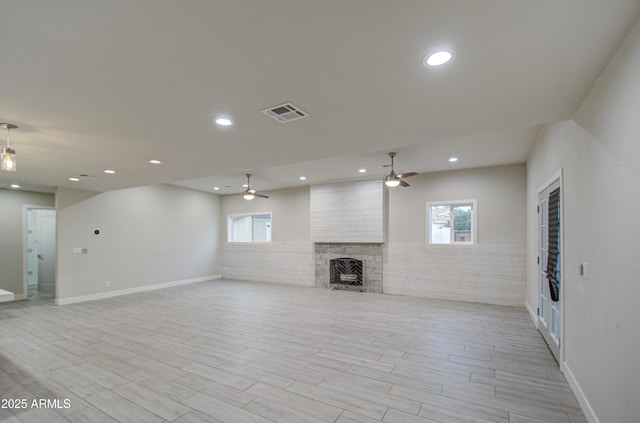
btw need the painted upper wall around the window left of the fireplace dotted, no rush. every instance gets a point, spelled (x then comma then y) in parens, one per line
(290, 208)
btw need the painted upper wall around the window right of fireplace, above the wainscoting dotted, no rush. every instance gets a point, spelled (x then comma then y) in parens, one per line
(500, 192)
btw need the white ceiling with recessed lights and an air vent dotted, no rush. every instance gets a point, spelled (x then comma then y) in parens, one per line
(97, 85)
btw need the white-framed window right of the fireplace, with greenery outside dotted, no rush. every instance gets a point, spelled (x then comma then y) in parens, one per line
(451, 222)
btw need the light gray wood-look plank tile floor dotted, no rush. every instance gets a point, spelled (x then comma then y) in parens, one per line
(238, 352)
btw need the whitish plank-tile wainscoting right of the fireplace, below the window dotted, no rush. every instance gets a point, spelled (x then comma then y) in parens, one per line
(483, 273)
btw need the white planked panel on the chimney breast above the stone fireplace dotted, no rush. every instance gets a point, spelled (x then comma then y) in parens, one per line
(348, 212)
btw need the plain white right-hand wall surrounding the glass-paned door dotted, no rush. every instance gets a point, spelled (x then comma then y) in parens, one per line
(598, 152)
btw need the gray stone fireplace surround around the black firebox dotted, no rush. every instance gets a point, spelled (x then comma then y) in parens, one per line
(369, 253)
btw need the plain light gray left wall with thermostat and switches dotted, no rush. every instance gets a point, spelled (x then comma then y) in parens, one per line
(149, 235)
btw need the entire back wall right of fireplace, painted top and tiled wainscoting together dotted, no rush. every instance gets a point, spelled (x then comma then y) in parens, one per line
(493, 270)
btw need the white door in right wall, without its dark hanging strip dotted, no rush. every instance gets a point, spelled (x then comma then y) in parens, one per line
(549, 312)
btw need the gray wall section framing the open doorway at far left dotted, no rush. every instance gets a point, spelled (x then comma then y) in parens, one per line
(12, 235)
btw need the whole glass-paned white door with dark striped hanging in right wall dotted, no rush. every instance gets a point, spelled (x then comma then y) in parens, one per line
(550, 275)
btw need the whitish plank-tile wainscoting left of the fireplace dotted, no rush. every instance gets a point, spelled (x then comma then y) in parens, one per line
(281, 262)
